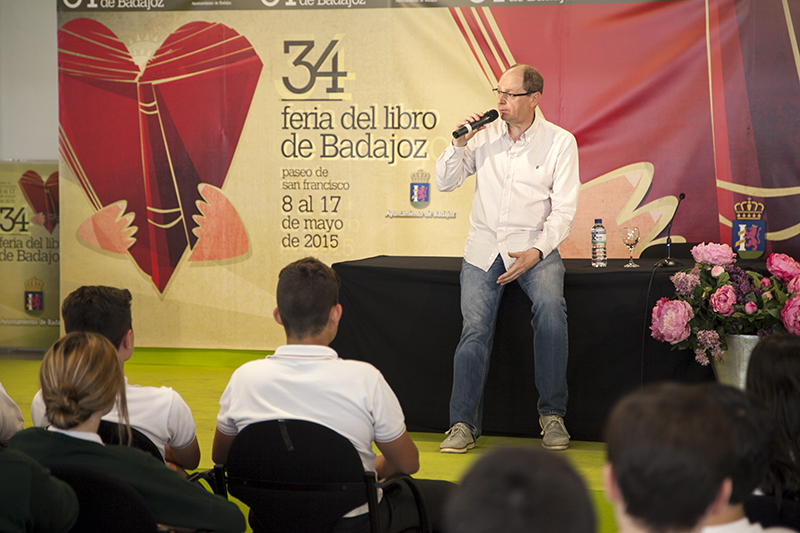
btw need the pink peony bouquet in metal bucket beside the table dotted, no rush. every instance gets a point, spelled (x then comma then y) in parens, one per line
(716, 298)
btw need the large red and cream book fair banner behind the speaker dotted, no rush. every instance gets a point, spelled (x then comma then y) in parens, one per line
(207, 143)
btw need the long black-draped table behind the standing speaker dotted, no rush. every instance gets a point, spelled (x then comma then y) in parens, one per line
(402, 314)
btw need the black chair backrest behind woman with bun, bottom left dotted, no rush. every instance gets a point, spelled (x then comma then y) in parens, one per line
(105, 503)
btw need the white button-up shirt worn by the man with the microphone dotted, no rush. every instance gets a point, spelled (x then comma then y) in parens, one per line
(526, 192)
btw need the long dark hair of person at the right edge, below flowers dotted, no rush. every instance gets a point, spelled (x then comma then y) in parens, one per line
(773, 376)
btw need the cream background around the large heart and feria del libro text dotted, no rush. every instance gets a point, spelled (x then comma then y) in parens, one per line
(391, 68)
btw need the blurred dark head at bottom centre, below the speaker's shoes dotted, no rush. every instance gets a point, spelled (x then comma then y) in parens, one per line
(518, 490)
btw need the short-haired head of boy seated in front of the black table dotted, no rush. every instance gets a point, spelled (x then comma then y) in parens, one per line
(307, 294)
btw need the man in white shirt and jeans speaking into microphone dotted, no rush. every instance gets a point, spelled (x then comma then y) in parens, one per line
(526, 194)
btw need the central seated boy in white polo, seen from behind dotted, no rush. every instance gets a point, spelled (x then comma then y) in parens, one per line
(305, 379)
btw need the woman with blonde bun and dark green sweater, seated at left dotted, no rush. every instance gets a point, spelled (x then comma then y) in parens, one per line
(81, 379)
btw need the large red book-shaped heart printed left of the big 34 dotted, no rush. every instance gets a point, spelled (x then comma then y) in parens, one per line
(151, 138)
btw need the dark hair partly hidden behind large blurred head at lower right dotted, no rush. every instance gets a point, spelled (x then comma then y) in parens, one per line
(752, 431)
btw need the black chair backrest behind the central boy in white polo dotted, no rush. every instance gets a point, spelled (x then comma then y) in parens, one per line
(298, 476)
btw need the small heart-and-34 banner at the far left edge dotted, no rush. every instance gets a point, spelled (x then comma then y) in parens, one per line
(29, 255)
